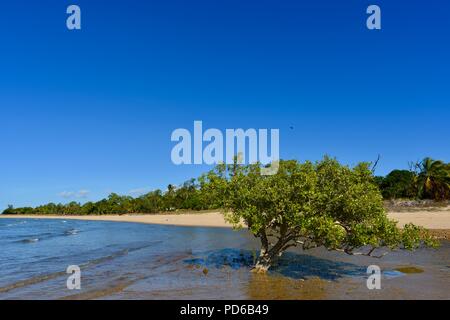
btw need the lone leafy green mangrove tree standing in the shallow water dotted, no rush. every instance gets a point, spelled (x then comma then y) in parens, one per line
(310, 204)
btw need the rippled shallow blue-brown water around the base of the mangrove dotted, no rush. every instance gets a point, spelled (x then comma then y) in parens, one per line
(138, 261)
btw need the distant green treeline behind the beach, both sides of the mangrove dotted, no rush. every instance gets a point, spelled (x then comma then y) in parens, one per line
(428, 179)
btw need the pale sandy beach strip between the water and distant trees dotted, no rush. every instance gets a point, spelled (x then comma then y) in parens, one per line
(437, 222)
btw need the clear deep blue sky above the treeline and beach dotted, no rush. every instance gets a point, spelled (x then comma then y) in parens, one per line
(94, 109)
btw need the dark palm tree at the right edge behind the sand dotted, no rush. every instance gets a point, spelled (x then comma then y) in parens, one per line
(434, 179)
